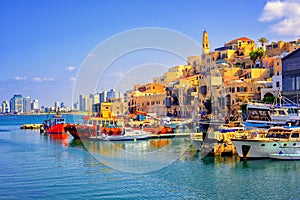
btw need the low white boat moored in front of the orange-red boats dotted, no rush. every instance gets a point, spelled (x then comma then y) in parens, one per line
(127, 134)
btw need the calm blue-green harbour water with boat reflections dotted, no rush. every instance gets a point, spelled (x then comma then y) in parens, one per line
(33, 166)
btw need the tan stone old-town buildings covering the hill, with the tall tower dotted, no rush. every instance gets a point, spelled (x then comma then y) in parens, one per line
(219, 81)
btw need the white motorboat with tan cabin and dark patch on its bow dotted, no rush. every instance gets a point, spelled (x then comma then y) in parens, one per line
(262, 145)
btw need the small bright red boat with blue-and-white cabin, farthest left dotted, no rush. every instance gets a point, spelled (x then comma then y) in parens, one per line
(55, 127)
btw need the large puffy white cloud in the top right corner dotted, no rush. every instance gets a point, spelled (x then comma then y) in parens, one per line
(285, 14)
